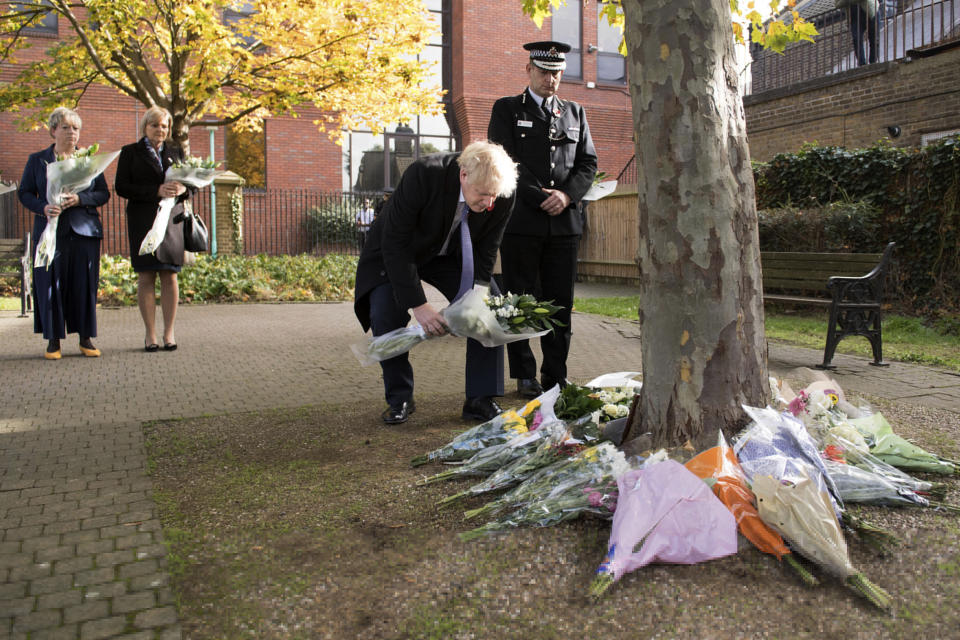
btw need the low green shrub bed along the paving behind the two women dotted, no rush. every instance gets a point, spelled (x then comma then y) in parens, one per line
(231, 278)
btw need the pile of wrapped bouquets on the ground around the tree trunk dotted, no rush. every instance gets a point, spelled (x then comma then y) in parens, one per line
(783, 482)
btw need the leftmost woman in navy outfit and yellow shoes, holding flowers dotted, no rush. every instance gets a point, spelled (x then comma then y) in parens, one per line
(65, 294)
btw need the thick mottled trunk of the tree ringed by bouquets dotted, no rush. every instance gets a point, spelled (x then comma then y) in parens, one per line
(701, 305)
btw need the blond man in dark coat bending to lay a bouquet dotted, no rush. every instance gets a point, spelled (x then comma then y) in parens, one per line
(417, 238)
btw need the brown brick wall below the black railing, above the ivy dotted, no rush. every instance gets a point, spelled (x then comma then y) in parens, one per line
(854, 108)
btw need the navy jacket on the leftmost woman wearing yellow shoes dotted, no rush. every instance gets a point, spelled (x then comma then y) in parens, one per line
(83, 219)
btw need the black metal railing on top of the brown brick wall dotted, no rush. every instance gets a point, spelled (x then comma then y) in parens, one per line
(899, 30)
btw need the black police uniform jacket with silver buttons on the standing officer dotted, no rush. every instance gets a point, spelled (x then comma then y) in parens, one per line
(554, 154)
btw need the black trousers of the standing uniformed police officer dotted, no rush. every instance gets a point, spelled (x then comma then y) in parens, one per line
(545, 266)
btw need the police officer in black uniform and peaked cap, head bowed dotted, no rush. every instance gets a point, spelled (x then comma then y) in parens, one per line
(550, 140)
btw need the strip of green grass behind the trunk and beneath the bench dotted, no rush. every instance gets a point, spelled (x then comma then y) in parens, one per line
(905, 339)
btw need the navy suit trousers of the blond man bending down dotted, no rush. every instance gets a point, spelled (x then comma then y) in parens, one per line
(484, 366)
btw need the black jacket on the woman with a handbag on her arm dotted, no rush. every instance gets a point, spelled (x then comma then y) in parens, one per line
(138, 178)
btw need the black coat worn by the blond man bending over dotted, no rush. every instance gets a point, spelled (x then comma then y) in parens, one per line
(412, 227)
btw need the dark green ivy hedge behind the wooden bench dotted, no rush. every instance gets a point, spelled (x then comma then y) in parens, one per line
(859, 200)
